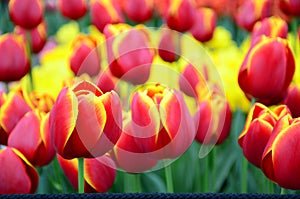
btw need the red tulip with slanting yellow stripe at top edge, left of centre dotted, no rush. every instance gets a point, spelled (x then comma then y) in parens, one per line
(105, 12)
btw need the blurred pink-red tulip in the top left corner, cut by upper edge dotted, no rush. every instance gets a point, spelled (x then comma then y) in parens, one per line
(26, 13)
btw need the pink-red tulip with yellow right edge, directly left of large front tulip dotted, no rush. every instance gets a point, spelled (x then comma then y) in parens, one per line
(37, 147)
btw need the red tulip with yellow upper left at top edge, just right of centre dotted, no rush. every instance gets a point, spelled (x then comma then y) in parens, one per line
(181, 15)
